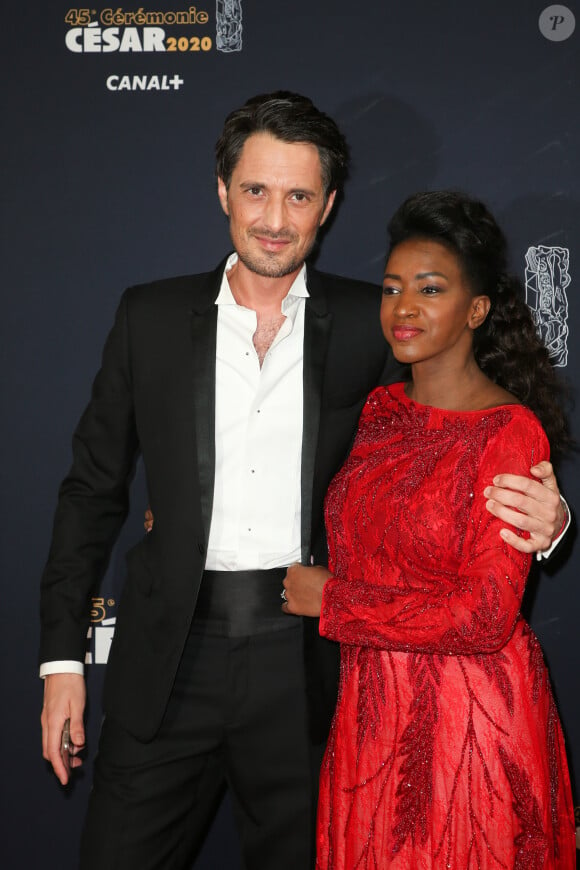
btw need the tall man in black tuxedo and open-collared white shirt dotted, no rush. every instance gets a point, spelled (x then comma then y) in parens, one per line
(242, 389)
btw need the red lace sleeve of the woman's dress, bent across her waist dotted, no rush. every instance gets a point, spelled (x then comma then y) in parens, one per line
(474, 613)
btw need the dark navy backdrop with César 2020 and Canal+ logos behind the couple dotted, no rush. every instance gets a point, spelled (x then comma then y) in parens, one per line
(106, 186)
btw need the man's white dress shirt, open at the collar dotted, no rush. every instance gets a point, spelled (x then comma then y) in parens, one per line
(256, 509)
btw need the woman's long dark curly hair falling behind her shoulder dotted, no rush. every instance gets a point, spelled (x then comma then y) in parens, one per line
(506, 346)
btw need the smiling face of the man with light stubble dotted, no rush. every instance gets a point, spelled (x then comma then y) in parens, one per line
(275, 203)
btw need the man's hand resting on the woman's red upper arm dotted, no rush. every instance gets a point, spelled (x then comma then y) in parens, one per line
(531, 505)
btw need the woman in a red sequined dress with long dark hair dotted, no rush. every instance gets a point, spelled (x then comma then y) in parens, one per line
(446, 749)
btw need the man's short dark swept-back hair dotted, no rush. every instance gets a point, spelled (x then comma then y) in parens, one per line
(290, 118)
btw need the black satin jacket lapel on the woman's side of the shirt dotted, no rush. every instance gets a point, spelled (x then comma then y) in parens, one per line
(317, 324)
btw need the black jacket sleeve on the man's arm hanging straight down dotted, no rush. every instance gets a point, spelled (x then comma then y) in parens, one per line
(93, 501)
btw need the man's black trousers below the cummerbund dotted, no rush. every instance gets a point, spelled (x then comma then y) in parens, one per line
(237, 715)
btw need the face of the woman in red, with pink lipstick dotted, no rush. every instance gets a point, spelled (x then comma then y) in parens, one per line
(428, 311)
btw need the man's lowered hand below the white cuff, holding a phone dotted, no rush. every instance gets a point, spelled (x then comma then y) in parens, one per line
(64, 698)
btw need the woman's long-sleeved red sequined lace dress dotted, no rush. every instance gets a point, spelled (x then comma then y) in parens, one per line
(446, 749)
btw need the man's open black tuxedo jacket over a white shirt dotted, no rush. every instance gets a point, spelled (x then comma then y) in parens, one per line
(155, 394)
